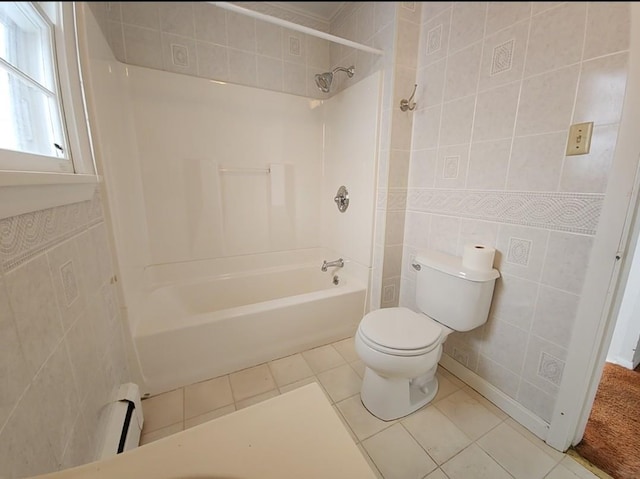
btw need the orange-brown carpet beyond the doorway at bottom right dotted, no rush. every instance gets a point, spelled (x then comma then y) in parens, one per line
(612, 438)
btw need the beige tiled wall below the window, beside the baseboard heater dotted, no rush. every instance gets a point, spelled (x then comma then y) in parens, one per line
(61, 340)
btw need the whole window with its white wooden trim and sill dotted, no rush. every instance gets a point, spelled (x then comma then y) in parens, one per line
(46, 157)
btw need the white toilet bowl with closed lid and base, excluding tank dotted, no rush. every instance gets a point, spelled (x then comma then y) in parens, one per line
(401, 350)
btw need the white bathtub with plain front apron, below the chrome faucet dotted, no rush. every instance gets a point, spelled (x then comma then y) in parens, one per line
(195, 330)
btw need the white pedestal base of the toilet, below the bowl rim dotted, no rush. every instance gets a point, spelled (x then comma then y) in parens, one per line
(393, 398)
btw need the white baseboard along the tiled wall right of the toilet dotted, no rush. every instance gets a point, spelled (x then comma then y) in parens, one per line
(514, 409)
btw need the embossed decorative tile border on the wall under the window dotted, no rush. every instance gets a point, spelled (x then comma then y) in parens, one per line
(25, 236)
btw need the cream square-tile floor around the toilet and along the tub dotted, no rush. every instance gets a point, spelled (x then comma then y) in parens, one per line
(459, 435)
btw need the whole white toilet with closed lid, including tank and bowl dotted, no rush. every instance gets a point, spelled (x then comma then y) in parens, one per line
(401, 348)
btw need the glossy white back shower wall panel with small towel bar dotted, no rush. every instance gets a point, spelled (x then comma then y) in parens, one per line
(189, 131)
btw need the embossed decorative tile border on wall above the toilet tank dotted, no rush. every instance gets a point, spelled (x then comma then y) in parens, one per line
(572, 212)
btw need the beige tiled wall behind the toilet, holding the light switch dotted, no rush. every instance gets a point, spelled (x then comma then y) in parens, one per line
(499, 85)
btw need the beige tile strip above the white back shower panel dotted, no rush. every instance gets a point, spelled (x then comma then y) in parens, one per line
(200, 39)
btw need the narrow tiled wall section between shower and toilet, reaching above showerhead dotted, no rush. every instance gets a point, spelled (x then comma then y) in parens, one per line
(394, 28)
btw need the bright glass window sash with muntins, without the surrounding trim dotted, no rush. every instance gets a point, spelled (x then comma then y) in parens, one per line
(32, 132)
